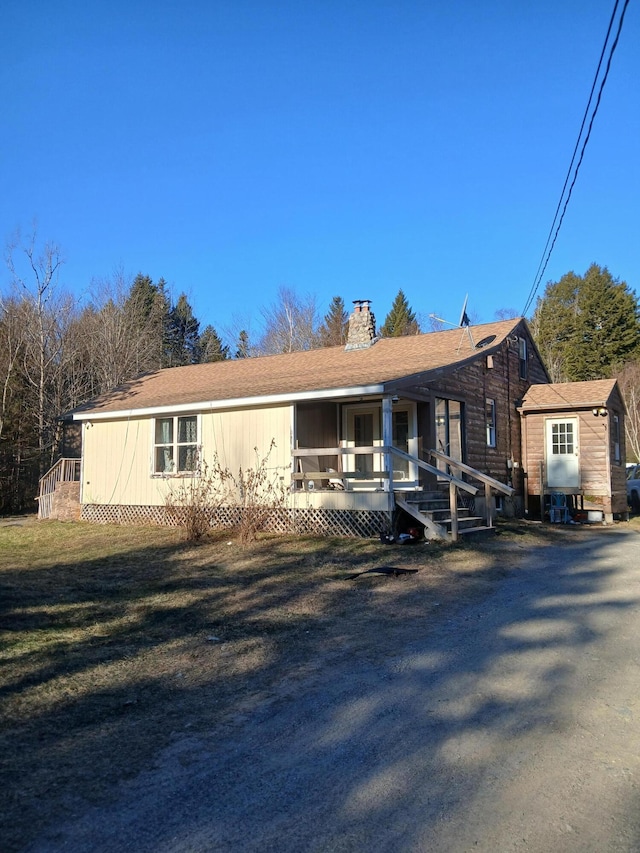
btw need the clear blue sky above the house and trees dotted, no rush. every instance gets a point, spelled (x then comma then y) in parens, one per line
(334, 148)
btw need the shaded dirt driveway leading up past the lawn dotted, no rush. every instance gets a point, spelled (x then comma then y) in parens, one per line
(508, 721)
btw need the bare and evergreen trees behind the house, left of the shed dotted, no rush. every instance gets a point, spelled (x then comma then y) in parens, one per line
(57, 351)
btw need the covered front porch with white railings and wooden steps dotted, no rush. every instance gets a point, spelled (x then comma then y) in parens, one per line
(377, 455)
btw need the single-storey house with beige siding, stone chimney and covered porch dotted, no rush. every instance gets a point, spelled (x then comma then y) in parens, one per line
(428, 424)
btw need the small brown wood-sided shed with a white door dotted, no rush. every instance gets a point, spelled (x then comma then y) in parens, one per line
(574, 444)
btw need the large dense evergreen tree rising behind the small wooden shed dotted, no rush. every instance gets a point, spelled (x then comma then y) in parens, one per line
(586, 325)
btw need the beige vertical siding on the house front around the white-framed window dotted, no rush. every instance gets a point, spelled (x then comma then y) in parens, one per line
(117, 455)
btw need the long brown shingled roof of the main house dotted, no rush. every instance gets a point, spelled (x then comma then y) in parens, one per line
(295, 373)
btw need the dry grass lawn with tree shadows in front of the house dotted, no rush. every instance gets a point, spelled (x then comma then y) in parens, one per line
(116, 640)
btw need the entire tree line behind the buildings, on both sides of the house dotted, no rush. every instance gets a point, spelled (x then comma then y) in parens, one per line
(57, 352)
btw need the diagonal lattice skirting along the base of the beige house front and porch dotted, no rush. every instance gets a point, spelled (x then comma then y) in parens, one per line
(326, 522)
